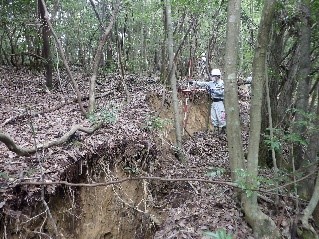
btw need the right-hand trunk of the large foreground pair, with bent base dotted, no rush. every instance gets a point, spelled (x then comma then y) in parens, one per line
(263, 226)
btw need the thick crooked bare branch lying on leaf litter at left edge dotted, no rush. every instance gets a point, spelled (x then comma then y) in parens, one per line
(12, 146)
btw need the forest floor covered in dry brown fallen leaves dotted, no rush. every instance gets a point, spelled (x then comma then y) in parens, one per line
(32, 115)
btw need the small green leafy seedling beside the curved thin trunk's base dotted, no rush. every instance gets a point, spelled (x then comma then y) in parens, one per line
(106, 115)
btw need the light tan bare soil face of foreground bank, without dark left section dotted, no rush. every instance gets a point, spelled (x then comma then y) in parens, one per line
(116, 211)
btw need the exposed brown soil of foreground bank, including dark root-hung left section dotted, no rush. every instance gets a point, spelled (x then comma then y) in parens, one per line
(116, 211)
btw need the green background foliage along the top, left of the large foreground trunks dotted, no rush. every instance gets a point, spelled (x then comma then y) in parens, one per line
(140, 22)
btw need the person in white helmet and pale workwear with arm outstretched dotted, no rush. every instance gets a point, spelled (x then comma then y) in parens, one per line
(215, 87)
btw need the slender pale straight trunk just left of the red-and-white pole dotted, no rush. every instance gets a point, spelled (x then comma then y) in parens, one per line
(172, 78)
